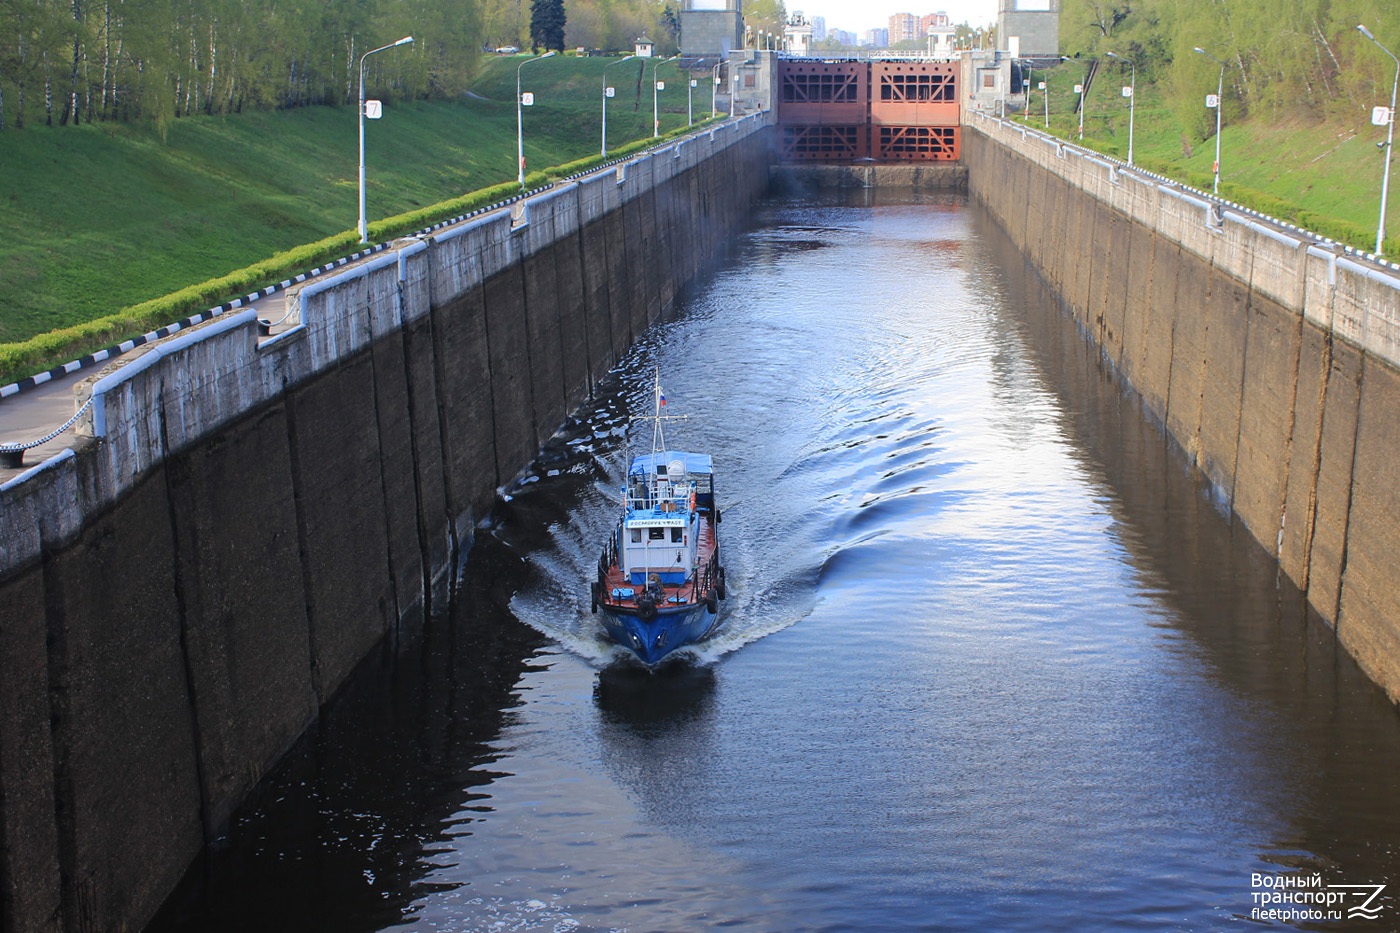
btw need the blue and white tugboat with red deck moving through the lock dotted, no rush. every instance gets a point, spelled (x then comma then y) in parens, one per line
(660, 579)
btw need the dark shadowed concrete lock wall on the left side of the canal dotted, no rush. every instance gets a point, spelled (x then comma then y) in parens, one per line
(247, 518)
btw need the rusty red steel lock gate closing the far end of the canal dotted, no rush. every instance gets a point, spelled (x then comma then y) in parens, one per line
(884, 111)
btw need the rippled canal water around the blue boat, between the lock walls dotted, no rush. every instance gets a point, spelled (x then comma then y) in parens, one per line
(992, 661)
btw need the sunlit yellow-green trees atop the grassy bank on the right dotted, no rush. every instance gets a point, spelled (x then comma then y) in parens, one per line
(1283, 58)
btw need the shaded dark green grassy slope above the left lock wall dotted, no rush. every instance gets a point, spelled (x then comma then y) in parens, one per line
(99, 218)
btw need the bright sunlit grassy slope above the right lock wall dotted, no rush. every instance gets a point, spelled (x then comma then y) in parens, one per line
(1324, 177)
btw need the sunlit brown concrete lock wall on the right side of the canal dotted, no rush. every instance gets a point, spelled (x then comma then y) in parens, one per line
(1270, 357)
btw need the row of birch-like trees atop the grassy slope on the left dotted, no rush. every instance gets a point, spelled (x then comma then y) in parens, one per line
(66, 62)
